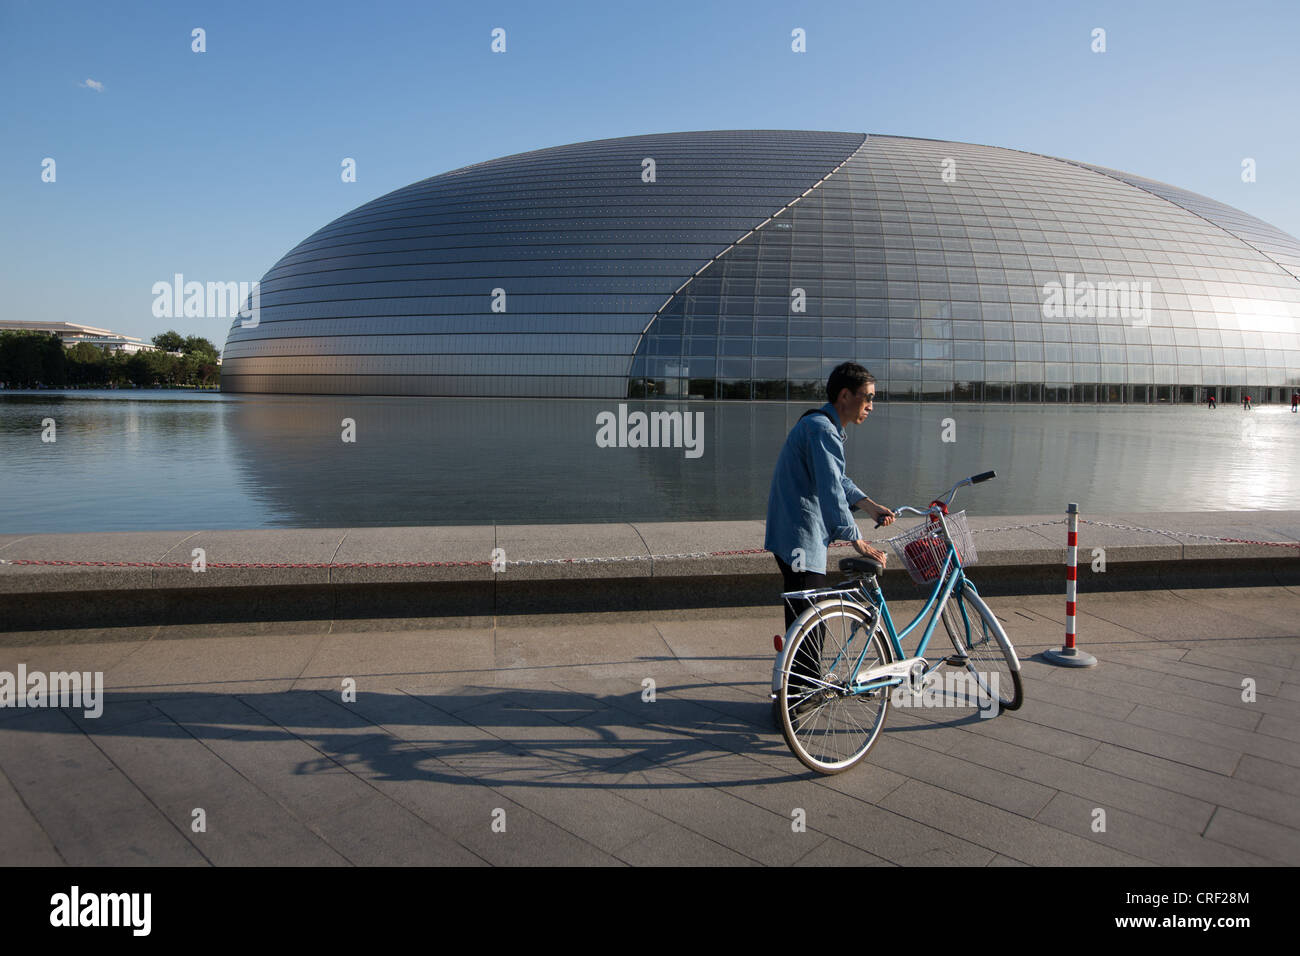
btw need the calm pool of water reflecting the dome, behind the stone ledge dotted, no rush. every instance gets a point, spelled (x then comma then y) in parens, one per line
(137, 461)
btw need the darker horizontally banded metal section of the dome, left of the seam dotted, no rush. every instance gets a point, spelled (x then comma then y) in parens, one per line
(397, 296)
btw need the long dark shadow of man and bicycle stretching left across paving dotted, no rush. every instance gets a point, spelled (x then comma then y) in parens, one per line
(475, 736)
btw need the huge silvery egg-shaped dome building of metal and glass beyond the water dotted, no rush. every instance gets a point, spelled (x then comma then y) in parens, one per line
(747, 265)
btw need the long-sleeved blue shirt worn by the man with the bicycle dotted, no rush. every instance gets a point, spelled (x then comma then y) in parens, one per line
(811, 499)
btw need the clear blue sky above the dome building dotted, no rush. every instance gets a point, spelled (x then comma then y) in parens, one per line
(216, 165)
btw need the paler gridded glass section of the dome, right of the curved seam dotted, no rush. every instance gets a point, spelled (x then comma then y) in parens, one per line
(939, 288)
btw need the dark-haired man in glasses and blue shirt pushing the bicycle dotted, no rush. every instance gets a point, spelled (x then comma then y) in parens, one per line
(812, 500)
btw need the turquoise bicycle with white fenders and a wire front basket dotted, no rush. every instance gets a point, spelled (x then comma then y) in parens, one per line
(843, 657)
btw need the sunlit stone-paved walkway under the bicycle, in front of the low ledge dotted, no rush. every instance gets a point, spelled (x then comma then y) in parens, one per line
(552, 732)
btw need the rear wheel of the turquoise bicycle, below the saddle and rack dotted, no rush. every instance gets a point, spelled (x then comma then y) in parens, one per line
(825, 724)
